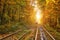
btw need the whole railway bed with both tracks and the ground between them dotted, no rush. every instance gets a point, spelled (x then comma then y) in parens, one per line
(39, 33)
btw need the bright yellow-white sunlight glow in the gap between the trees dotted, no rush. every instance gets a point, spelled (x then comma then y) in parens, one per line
(37, 11)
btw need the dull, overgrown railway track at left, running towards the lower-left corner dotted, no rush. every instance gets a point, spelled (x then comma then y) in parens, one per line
(14, 36)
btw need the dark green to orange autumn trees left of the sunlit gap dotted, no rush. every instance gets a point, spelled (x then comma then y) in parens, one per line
(14, 12)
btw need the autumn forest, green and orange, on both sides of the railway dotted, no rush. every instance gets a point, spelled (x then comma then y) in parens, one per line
(16, 13)
